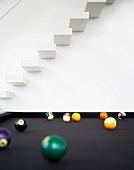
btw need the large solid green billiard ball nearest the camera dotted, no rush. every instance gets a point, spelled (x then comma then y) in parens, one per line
(53, 147)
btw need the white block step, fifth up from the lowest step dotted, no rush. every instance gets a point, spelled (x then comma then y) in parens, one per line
(63, 36)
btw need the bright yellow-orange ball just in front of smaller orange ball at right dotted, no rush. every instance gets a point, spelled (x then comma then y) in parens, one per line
(110, 123)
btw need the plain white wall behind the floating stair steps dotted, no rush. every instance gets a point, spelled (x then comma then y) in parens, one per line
(94, 73)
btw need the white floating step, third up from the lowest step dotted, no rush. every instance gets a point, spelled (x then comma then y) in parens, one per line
(31, 65)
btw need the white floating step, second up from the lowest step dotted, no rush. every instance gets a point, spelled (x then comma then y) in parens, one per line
(16, 80)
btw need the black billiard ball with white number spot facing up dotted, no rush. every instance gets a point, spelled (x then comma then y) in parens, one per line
(20, 125)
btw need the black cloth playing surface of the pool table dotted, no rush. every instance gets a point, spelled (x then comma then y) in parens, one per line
(90, 145)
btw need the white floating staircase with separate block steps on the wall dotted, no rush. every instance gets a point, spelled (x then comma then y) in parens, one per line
(62, 37)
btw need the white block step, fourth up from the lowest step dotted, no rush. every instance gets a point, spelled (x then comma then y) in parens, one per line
(47, 50)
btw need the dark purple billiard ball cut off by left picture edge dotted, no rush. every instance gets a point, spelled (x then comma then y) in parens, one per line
(5, 138)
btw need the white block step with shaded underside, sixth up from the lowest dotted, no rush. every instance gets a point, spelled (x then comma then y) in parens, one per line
(79, 22)
